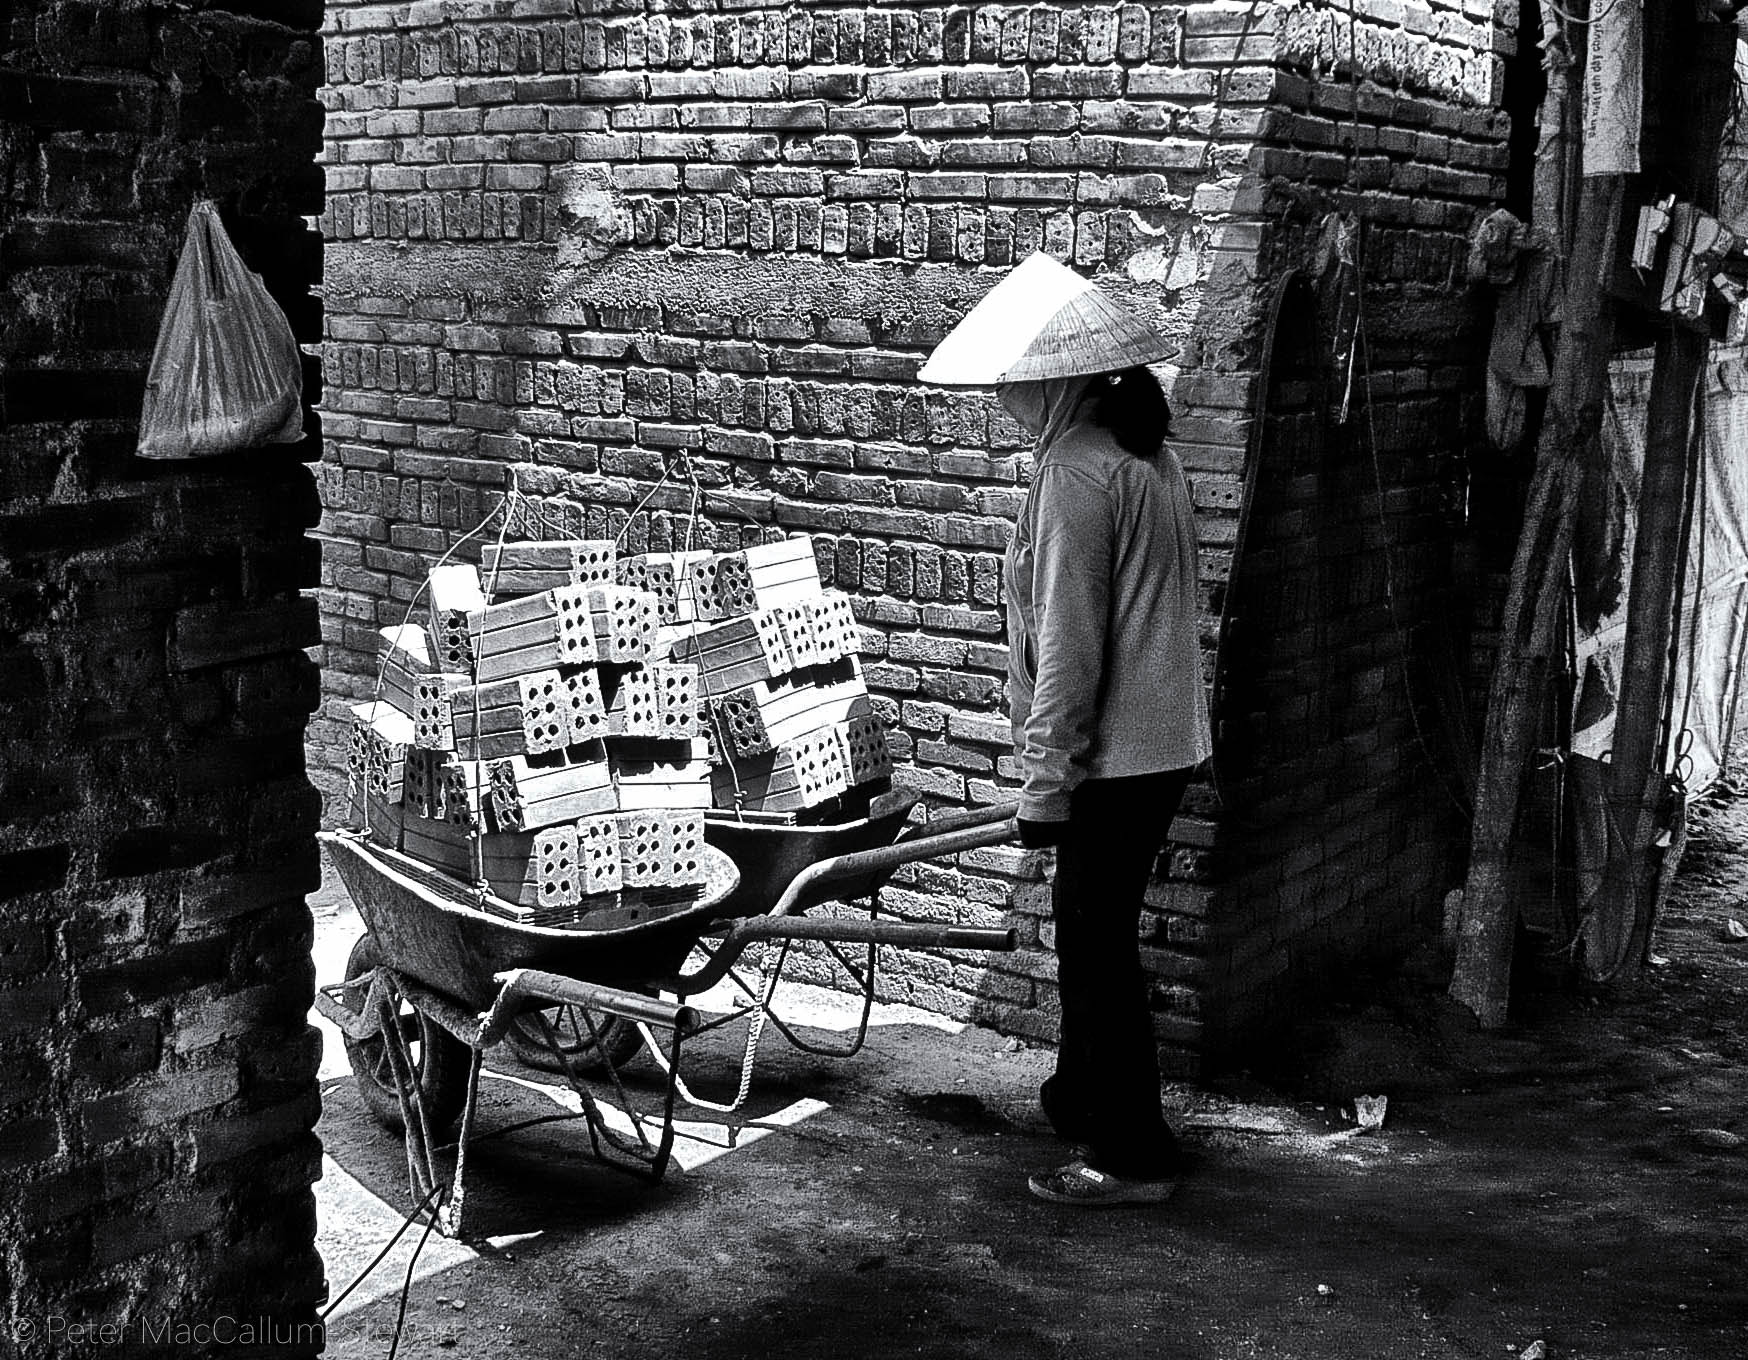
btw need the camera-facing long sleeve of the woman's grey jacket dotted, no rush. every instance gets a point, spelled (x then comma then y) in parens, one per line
(1071, 593)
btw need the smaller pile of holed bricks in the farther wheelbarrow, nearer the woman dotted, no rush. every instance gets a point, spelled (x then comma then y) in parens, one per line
(779, 665)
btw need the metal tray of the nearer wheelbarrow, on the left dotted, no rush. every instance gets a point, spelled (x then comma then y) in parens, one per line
(427, 927)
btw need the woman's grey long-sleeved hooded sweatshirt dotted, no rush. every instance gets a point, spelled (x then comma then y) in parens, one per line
(1104, 651)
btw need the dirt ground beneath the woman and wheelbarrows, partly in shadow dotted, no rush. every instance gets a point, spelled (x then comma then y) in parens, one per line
(1578, 1184)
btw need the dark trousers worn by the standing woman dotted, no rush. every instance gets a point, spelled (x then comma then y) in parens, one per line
(1106, 1092)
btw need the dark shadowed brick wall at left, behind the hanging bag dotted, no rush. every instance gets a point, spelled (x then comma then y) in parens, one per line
(156, 828)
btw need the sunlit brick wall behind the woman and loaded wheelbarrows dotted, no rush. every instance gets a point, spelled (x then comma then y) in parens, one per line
(597, 244)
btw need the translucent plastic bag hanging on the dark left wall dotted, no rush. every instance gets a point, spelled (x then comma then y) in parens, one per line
(226, 371)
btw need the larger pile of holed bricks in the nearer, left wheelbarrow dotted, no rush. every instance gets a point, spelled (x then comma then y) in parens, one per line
(531, 737)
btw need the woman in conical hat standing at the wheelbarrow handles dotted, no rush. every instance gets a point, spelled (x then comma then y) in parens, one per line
(1106, 691)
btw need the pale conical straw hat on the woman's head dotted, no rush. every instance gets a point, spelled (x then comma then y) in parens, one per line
(1043, 321)
